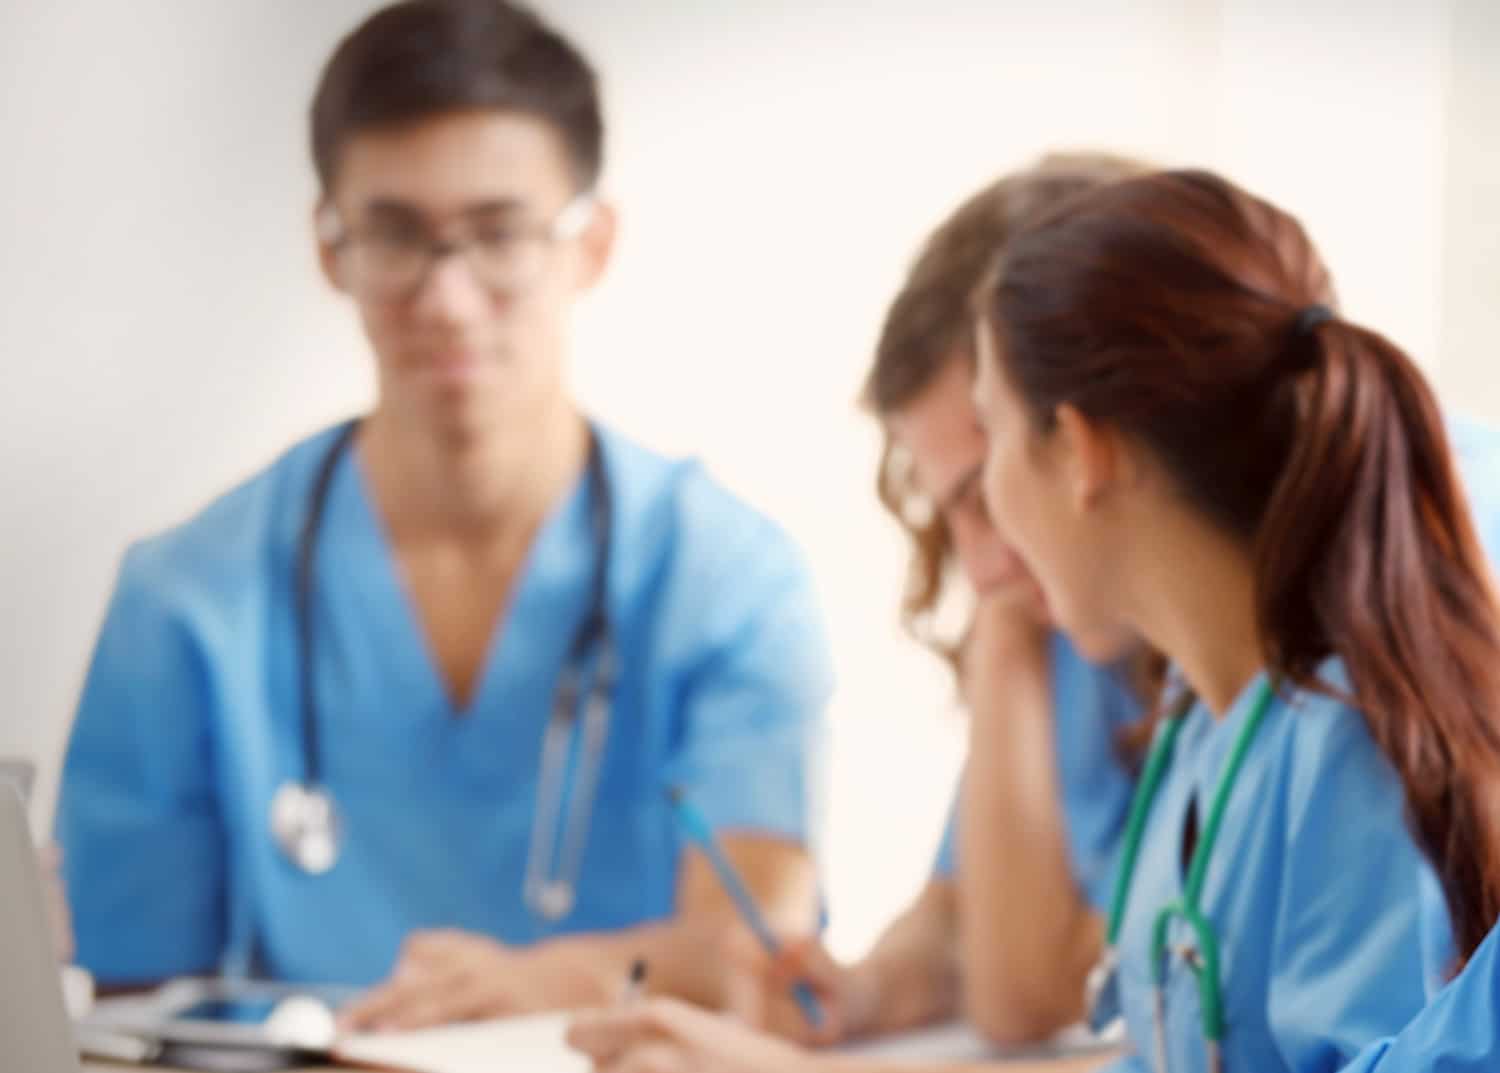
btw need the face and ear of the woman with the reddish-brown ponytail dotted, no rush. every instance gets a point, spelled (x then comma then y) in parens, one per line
(1043, 493)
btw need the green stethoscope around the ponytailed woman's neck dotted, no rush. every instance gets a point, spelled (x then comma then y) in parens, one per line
(1202, 958)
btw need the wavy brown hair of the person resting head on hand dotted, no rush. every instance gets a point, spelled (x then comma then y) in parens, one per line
(928, 328)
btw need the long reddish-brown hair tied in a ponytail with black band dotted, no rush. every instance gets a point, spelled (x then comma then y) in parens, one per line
(1171, 307)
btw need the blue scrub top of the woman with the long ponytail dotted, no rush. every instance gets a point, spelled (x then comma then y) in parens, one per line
(1316, 892)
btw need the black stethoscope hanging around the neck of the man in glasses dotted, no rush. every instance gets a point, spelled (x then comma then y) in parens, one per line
(305, 822)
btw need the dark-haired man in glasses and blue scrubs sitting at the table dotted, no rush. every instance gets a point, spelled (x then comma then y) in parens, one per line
(470, 536)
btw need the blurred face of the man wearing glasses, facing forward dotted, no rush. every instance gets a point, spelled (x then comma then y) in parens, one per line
(461, 241)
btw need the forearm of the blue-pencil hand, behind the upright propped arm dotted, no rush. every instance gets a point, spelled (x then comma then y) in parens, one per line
(913, 970)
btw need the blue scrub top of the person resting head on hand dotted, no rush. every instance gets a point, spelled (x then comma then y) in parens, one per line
(1091, 706)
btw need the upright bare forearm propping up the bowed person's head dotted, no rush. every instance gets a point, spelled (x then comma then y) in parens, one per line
(1028, 934)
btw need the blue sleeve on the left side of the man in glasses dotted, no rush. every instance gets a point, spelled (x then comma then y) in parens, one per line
(137, 811)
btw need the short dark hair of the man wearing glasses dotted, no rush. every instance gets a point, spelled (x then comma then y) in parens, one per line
(425, 58)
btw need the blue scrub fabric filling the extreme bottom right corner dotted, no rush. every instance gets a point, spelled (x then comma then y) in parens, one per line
(1457, 1033)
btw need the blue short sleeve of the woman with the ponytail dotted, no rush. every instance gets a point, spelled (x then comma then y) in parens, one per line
(1351, 904)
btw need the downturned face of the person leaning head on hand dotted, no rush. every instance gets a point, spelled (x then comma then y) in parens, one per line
(943, 434)
